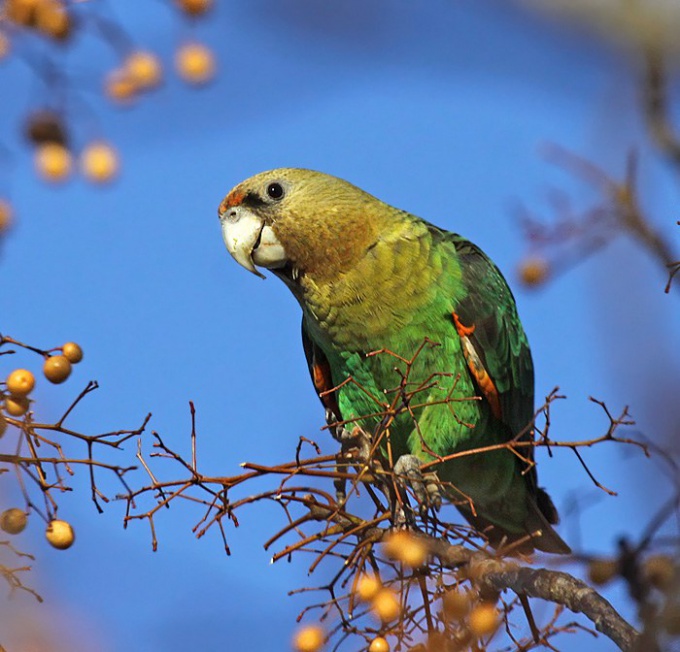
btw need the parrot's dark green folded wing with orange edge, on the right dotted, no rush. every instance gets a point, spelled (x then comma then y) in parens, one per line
(497, 351)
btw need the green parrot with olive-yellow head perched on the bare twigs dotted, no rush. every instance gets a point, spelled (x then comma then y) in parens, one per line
(370, 277)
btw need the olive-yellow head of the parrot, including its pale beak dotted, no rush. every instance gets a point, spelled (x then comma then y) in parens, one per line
(299, 223)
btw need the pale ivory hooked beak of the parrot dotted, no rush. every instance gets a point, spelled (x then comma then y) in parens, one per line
(250, 241)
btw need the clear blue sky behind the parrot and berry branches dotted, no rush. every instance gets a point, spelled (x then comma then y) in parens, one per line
(440, 109)
